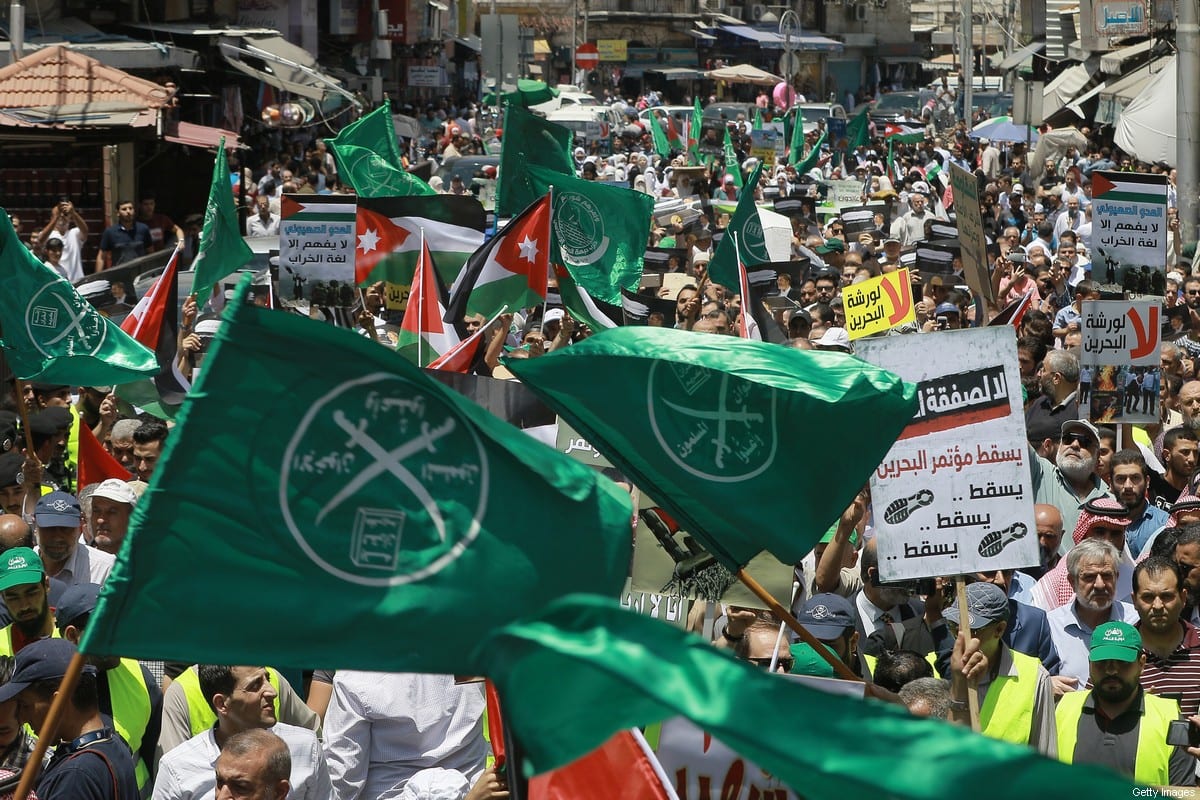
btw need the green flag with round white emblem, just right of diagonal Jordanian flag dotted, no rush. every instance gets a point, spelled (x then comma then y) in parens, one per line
(598, 232)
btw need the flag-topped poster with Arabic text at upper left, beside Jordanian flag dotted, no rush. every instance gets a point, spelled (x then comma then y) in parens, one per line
(317, 250)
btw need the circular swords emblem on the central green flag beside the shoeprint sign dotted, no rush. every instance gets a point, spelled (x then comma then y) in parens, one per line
(715, 425)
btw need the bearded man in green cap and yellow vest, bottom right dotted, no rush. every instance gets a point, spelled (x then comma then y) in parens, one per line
(1119, 725)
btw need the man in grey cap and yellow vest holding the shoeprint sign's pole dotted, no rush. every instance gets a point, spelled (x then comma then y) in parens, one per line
(1016, 693)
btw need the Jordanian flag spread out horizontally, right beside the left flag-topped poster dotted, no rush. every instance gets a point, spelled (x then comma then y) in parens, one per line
(389, 236)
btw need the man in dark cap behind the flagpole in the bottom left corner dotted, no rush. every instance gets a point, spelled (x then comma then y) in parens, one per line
(91, 761)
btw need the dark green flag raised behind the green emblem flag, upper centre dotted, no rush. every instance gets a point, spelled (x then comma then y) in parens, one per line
(530, 140)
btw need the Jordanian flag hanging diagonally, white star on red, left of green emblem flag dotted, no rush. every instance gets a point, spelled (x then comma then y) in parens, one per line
(511, 270)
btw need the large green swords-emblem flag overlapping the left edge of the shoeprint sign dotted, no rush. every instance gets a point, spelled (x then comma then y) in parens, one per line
(706, 425)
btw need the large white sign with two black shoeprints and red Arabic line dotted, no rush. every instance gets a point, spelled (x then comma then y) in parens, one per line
(955, 494)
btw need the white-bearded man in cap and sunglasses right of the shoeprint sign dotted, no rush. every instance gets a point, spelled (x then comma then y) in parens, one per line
(1071, 482)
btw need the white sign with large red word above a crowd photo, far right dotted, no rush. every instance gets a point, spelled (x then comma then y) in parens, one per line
(1120, 353)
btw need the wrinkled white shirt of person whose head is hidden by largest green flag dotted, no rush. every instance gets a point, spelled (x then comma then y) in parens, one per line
(382, 729)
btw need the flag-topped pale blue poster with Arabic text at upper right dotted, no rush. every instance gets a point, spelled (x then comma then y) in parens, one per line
(1130, 231)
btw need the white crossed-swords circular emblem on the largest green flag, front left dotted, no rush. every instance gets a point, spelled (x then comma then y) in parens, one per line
(383, 483)
